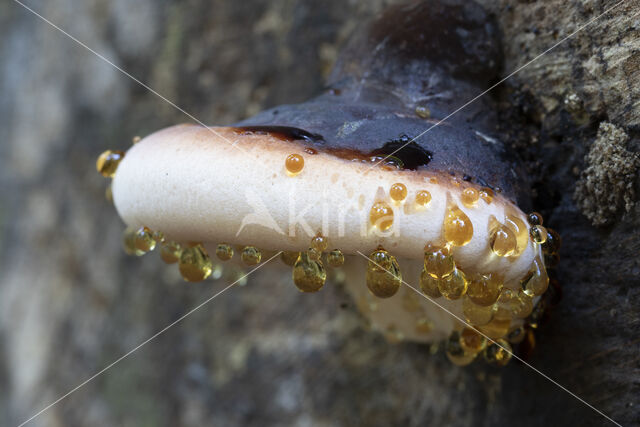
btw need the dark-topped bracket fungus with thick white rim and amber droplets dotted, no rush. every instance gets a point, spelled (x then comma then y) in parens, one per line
(369, 178)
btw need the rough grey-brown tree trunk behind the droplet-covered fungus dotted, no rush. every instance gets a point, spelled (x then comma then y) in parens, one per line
(71, 302)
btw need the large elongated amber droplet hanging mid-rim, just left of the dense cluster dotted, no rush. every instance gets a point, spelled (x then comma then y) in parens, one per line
(383, 274)
